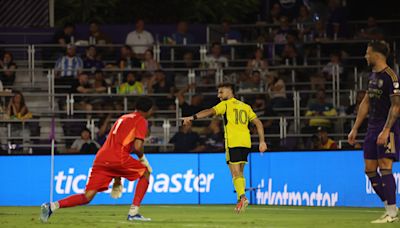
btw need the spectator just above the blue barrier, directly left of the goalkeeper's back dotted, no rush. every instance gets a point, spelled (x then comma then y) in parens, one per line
(84, 144)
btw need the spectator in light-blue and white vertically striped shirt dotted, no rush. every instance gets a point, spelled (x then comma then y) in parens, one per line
(69, 65)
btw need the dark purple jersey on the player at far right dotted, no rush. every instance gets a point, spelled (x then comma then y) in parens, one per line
(382, 85)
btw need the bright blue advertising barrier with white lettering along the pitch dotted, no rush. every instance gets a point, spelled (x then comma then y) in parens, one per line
(334, 178)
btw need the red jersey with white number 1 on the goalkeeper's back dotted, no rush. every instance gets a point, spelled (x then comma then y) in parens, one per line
(116, 150)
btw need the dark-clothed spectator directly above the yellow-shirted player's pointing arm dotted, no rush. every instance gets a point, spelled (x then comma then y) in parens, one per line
(196, 103)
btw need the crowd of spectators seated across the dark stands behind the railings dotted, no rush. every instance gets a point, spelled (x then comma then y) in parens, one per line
(135, 71)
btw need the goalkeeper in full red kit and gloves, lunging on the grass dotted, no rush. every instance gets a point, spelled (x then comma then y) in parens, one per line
(114, 161)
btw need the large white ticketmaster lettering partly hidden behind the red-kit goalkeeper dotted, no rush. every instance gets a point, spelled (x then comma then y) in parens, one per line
(68, 183)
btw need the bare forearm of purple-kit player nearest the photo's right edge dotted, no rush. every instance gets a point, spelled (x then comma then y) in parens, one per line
(391, 119)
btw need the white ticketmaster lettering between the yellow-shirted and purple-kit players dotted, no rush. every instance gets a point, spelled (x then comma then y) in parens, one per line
(285, 197)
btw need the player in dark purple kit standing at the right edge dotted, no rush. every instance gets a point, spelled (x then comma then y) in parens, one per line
(381, 144)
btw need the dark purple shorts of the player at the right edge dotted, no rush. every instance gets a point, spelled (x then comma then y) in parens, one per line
(372, 151)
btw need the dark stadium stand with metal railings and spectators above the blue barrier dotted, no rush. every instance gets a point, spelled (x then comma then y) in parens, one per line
(277, 67)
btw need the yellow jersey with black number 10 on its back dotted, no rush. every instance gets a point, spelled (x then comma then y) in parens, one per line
(236, 117)
